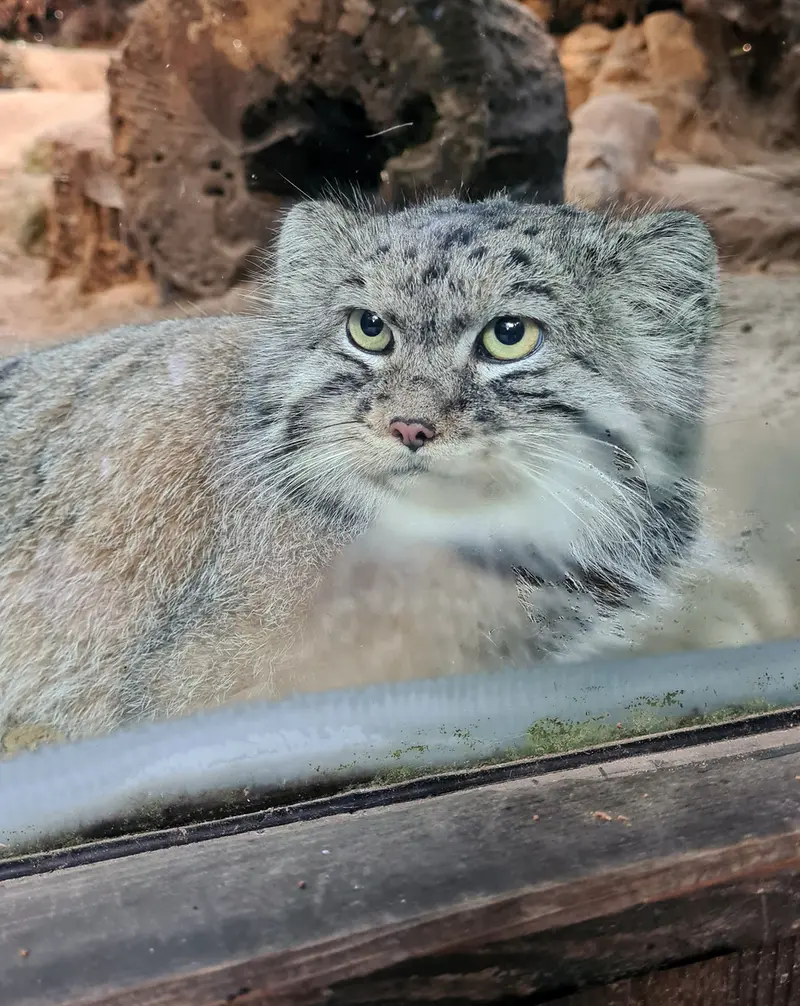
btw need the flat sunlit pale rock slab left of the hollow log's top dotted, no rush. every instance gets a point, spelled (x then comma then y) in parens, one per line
(50, 69)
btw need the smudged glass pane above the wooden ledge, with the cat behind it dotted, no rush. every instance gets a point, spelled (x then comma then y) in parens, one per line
(380, 485)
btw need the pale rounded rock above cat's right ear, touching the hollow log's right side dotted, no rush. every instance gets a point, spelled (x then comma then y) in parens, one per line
(612, 144)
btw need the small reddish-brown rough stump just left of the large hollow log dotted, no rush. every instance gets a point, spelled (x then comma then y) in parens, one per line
(85, 221)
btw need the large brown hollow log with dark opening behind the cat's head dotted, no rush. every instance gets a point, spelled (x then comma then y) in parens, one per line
(222, 112)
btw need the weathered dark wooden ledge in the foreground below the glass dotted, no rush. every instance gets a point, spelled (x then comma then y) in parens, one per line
(694, 853)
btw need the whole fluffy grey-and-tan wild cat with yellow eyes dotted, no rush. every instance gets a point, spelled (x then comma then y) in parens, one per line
(178, 501)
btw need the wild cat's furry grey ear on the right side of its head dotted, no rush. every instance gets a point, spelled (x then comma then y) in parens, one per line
(663, 271)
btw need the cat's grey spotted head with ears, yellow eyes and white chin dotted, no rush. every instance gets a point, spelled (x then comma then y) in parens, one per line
(491, 363)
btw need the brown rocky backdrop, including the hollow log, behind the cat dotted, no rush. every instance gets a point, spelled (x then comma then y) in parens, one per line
(146, 147)
